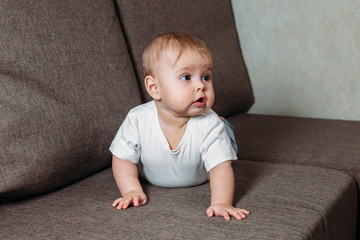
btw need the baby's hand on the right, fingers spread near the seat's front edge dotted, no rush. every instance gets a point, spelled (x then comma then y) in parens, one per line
(226, 210)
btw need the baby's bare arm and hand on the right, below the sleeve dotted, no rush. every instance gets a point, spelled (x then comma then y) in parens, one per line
(222, 185)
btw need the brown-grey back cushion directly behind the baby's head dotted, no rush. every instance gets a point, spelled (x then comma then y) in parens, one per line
(143, 20)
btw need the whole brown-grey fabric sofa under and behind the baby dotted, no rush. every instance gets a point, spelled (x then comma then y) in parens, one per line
(71, 70)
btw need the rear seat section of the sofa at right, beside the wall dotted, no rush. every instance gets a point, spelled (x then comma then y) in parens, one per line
(315, 142)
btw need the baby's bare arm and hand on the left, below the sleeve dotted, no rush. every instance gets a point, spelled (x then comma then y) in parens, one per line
(126, 177)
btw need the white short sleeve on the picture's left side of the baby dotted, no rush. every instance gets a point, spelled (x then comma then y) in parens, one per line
(126, 144)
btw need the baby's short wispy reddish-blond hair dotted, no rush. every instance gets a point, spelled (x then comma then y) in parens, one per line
(156, 47)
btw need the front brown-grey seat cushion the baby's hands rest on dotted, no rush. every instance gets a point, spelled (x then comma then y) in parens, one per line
(287, 202)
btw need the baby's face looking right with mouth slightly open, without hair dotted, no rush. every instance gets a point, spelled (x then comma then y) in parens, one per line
(185, 83)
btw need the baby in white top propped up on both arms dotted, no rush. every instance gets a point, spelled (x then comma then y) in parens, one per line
(176, 140)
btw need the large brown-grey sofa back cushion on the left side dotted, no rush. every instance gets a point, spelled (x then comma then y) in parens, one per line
(66, 85)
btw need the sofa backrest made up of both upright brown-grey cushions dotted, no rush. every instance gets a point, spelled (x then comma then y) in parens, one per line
(69, 76)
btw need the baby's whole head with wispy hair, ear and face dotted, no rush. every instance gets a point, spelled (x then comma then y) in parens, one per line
(178, 74)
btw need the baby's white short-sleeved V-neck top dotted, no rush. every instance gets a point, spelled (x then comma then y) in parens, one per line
(204, 145)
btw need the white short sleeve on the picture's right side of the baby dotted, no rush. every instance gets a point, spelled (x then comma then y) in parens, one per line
(216, 147)
